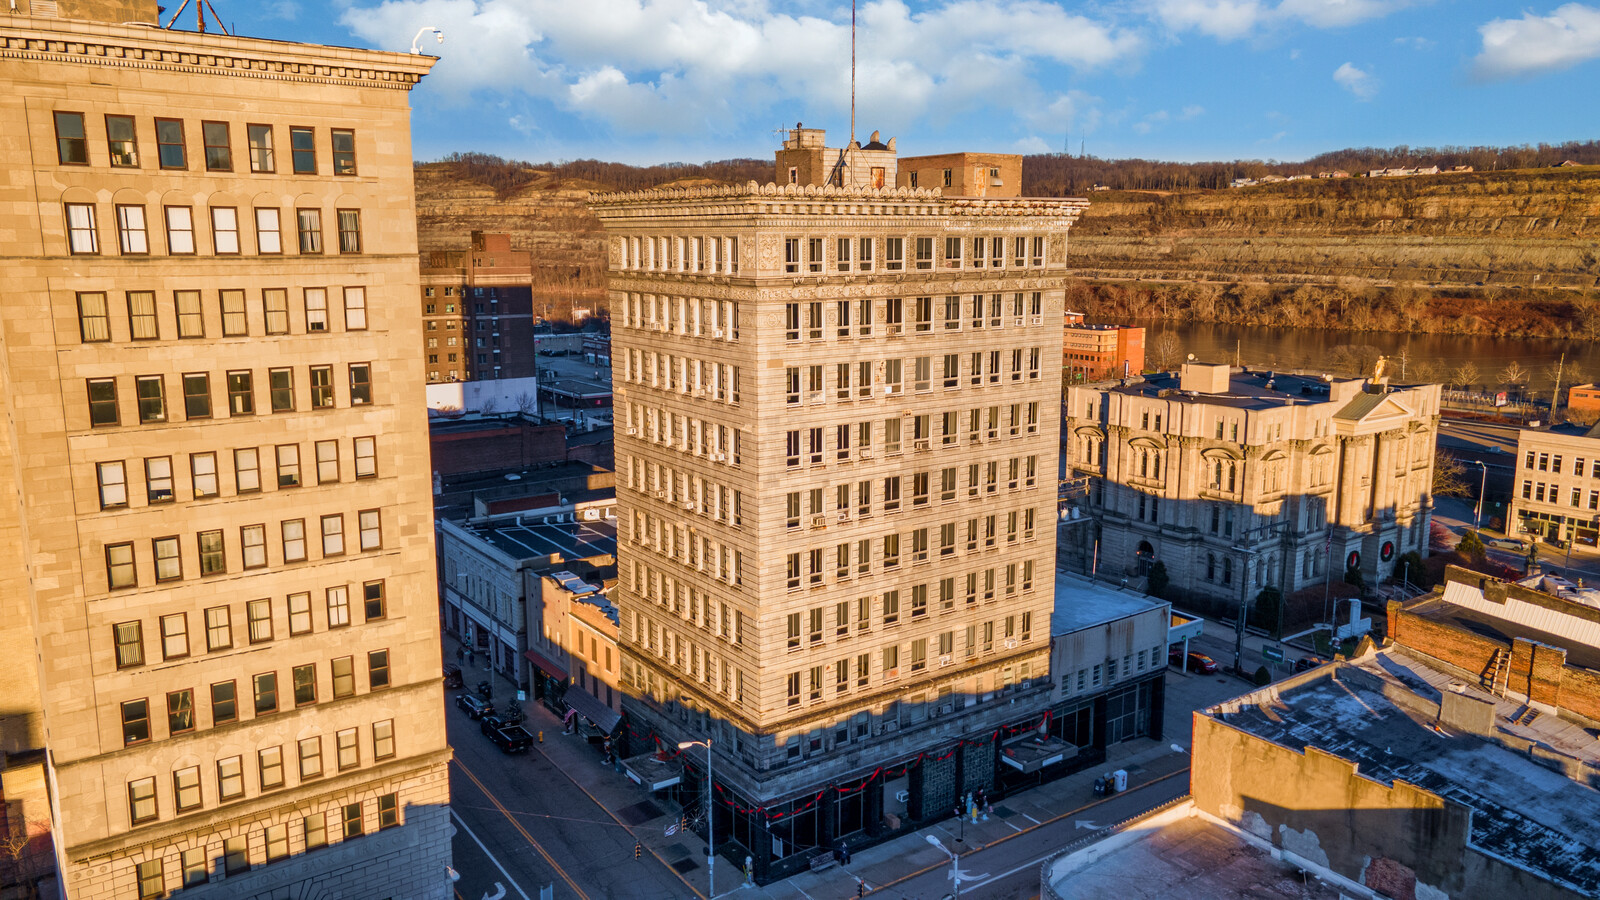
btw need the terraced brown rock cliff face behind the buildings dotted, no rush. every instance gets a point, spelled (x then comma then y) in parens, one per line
(1524, 243)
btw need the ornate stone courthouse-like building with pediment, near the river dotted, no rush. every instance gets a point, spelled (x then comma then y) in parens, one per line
(1241, 480)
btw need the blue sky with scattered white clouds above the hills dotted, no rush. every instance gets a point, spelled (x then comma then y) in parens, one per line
(692, 81)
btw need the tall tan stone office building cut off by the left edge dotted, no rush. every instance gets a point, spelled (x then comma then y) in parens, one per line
(218, 629)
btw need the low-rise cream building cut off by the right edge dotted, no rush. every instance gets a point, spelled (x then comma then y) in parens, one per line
(1558, 484)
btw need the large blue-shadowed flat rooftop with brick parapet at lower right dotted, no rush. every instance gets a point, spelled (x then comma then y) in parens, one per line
(1382, 710)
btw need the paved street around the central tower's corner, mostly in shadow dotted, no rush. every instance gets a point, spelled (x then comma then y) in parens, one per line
(561, 818)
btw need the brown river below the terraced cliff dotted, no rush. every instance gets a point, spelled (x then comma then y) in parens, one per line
(1316, 348)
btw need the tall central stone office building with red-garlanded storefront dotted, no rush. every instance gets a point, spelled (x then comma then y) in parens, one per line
(838, 448)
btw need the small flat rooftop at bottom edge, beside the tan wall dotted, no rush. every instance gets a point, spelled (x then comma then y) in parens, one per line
(1190, 858)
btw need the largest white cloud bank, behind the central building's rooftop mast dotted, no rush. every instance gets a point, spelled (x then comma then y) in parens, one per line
(706, 66)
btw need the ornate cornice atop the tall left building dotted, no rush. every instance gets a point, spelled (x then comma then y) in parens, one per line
(122, 47)
